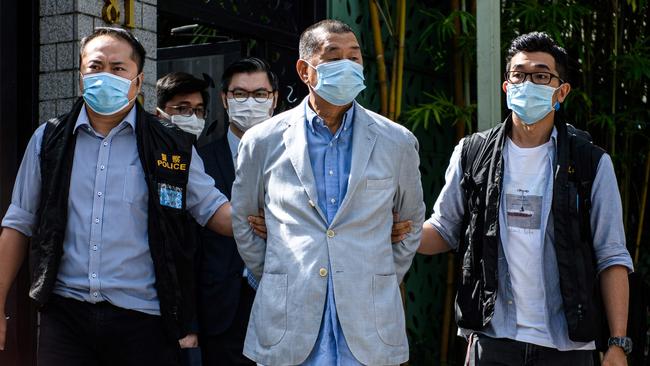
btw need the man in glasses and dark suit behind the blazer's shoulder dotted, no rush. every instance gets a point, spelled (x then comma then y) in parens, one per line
(249, 93)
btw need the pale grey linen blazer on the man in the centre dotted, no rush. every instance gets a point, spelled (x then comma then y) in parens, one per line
(274, 172)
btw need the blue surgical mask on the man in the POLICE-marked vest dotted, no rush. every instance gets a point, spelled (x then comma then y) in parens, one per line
(105, 93)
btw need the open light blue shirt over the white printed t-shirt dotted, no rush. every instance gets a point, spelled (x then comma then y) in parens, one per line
(608, 241)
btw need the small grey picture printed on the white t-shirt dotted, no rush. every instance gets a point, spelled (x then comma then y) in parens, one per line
(524, 211)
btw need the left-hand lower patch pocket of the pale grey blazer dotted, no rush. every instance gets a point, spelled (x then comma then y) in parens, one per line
(270, 314)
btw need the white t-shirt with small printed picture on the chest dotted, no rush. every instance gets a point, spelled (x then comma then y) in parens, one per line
(522, 221)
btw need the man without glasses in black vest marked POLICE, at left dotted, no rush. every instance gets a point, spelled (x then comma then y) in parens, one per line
(106, 193)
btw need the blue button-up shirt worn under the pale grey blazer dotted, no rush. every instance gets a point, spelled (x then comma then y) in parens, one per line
(330, 156)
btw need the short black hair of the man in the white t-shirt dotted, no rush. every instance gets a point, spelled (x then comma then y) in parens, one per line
(540, 42)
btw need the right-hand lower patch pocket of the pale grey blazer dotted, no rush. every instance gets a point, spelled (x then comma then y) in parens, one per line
(389, 315)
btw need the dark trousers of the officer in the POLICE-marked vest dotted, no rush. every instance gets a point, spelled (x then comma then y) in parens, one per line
(76, 333)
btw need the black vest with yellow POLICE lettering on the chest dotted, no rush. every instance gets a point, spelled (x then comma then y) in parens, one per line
(168, 227)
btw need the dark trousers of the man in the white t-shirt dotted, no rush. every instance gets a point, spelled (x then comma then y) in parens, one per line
(487, 351)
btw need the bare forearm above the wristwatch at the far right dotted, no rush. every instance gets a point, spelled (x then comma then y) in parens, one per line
(615, 290)
